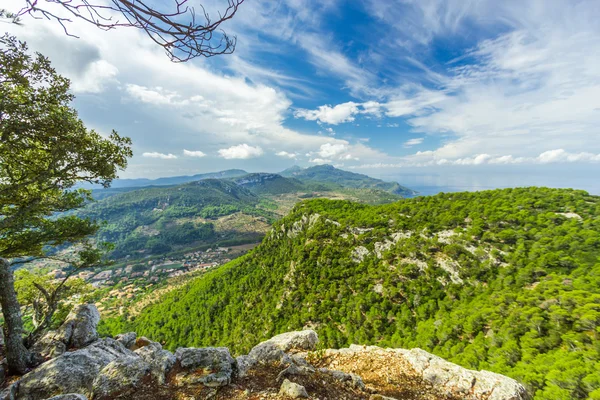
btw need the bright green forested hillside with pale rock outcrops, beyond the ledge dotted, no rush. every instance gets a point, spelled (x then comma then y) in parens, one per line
(506, 280)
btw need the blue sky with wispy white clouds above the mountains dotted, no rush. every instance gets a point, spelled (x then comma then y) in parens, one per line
(382, 87)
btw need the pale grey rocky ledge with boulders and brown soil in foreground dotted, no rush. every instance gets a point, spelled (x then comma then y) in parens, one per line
(79, 365)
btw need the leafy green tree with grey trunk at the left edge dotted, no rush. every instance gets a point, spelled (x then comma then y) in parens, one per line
(45, 150)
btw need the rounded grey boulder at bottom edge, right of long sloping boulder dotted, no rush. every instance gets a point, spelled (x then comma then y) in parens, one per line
(120, 376)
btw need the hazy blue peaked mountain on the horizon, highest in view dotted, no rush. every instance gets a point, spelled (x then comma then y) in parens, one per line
(330, 174)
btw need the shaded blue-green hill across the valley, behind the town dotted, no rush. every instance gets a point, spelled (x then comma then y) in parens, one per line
(159, 219)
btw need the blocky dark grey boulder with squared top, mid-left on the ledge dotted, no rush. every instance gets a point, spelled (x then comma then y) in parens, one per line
(211, 366)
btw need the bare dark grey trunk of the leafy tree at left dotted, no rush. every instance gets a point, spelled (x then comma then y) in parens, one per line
(17, 355)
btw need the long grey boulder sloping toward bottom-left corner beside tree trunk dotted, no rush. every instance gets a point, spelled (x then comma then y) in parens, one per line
(72, 372)
